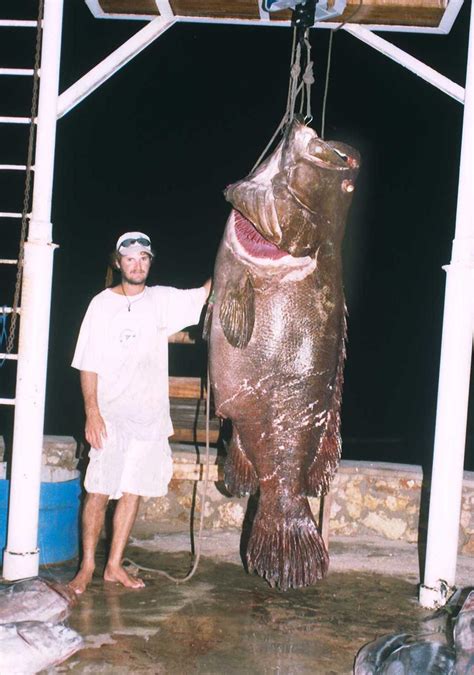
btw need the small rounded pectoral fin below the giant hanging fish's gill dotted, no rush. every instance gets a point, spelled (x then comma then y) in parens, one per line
(237, 312)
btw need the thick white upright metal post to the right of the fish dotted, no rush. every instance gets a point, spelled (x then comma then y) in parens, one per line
(454, 376)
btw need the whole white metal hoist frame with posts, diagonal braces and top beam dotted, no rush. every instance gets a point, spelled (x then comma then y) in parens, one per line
(21, 557)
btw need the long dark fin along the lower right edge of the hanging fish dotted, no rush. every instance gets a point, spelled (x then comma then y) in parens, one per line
(326, 459)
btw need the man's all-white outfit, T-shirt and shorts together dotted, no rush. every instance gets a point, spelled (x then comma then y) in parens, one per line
(125, 341)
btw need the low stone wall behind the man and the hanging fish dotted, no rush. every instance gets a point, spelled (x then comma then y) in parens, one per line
(389, 500)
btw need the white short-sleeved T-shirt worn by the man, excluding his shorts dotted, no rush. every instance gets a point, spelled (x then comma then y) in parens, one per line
(125, 341)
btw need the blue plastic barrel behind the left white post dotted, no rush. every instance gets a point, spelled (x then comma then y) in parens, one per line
(58, 528)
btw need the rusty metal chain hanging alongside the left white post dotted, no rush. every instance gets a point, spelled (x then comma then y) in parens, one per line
(27, 192)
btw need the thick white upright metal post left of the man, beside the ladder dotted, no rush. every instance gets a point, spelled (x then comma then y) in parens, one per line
(21, 558)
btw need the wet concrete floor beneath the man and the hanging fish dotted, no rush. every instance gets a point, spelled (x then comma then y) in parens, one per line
(226, 621)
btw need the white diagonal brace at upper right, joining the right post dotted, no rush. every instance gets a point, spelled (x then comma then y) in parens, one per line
(414, 65)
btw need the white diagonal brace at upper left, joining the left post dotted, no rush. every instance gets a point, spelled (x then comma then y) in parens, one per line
(112, 63)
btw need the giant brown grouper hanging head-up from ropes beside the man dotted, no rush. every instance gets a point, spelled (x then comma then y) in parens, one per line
(277, 345)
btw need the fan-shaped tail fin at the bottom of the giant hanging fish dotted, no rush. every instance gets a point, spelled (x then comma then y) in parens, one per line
(286, 548)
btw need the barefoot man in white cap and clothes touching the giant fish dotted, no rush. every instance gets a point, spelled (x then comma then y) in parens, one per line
(122, 355)
